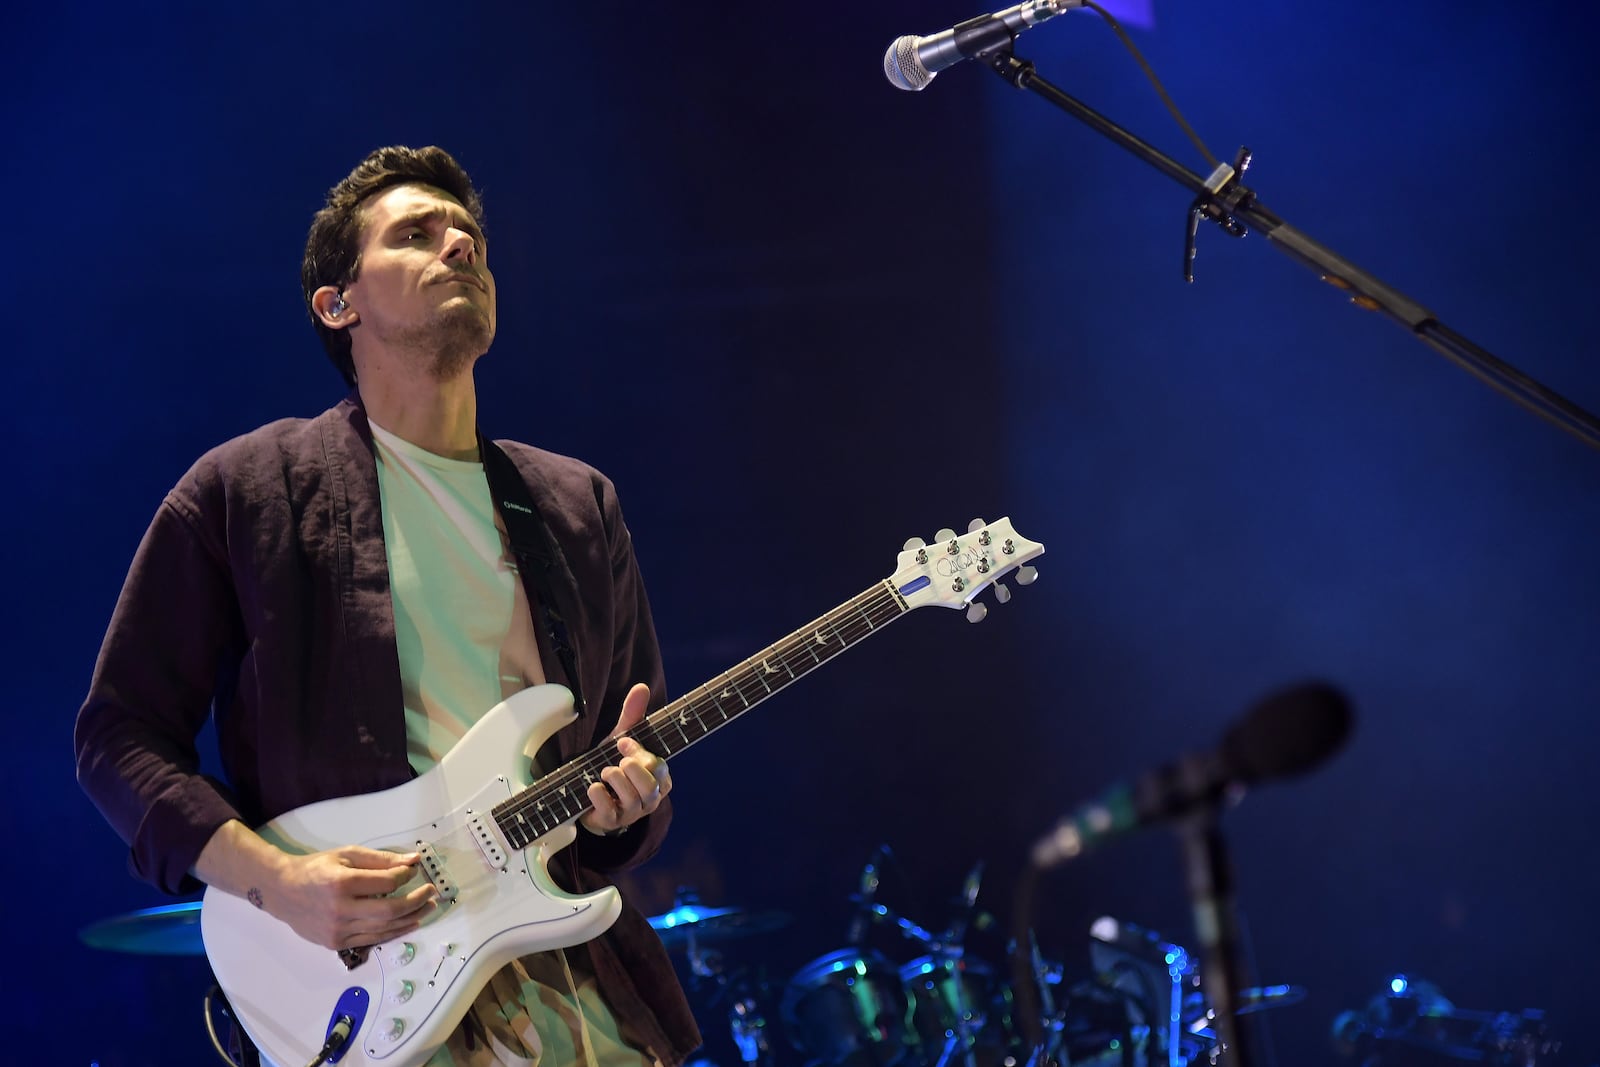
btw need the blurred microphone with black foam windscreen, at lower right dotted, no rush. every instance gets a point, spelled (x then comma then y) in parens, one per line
(1286, 735)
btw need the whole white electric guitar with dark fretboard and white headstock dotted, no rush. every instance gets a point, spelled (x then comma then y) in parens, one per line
(487, 836)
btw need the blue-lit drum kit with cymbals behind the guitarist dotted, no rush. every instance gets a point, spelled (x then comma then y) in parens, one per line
(926, 1002)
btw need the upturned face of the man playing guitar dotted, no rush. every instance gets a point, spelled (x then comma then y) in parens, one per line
(425, 284)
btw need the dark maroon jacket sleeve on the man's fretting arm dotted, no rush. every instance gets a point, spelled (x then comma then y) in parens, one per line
(636, 657)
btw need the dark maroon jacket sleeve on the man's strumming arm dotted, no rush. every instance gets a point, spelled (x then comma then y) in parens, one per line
(154, 682)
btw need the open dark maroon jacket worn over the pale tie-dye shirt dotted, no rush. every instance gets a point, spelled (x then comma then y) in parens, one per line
(262, 591)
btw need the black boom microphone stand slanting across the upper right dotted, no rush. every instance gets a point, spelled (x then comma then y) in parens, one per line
(1230, 204)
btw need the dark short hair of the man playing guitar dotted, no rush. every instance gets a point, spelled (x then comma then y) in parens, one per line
(334, 246)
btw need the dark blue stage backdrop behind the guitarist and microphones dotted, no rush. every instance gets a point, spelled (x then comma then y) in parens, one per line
(801, 318)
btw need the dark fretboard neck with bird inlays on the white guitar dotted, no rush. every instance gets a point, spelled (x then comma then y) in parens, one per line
(564, 794)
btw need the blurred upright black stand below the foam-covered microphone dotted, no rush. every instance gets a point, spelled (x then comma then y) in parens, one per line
(1210, 879)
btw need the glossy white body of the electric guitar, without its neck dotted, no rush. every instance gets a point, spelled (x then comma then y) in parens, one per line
(498, 903)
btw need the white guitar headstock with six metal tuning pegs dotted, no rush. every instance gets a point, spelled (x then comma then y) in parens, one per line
(954, 569)
